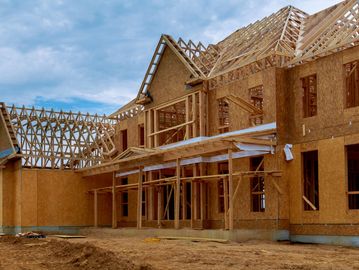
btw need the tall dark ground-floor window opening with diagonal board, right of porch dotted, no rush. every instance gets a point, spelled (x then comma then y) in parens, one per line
(310, 180)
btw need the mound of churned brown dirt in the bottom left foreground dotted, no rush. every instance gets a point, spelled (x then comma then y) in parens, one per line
(64, 255)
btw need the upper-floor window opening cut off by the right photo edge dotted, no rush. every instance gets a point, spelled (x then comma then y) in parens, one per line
(352, 84)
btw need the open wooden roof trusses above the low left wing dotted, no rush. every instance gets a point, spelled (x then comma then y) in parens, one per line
(49, 139)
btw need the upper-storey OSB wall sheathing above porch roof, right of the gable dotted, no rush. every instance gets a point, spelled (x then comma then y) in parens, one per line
(239, 118)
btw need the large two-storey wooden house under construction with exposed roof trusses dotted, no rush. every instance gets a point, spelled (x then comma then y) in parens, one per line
(256, 135)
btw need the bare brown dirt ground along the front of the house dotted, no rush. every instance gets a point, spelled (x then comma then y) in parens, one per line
(101, 252)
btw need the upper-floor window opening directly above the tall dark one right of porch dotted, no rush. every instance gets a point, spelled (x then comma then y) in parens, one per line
(309, 85)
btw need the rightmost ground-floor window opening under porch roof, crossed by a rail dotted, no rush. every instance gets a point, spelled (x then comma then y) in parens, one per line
(257, 185)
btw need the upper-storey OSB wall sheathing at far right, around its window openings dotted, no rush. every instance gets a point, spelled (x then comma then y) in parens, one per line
(332, 119)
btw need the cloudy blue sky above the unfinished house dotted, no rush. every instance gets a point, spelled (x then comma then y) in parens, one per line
(91, 56)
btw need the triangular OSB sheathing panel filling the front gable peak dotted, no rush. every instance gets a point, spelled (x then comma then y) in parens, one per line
(169, 80)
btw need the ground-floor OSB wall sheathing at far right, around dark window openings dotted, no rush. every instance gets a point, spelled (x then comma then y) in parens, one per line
(333, 207)
